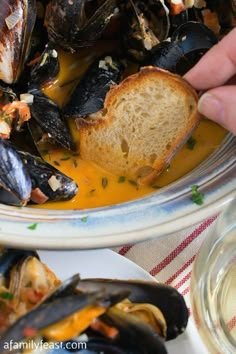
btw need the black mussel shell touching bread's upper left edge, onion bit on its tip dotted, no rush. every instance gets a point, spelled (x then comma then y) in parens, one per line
(90, 93)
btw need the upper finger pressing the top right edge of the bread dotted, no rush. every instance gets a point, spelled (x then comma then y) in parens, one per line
(216, 66)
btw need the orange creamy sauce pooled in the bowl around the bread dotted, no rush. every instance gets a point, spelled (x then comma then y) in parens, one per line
(96, 186)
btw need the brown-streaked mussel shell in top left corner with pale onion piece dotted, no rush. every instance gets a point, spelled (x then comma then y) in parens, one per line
(17, 19)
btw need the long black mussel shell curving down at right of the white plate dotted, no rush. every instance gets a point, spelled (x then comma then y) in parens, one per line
(167, 299)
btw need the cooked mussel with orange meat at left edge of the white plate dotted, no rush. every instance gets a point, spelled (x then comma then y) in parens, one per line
(24, 281)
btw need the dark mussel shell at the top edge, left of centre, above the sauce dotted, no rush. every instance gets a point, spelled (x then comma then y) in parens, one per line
(70, 26)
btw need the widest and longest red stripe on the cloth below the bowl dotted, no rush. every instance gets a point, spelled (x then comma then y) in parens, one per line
(171, 256)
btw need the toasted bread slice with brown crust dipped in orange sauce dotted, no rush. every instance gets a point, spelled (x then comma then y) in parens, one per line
(145, 120)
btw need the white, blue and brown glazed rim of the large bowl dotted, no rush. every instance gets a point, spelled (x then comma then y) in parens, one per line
(166, 211)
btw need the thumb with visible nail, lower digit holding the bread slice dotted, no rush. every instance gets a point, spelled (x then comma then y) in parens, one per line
(219, 105)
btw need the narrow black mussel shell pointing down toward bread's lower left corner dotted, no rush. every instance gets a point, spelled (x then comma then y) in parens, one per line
(50, 118)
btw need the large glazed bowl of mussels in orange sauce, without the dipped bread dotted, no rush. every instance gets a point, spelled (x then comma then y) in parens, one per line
(57, 63)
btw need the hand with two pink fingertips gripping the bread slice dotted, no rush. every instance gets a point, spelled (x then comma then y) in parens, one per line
(215, 73)
